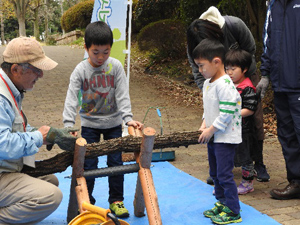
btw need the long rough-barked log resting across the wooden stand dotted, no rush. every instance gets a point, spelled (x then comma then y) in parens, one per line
(62, 161)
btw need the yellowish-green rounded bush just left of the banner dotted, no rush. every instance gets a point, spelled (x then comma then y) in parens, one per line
(78, 16)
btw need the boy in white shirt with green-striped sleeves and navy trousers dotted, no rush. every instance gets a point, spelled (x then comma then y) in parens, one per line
(221, 129)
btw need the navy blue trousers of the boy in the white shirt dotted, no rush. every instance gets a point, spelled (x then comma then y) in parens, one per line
(221, 163)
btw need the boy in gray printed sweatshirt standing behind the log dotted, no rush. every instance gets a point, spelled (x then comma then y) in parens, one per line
(102, 82)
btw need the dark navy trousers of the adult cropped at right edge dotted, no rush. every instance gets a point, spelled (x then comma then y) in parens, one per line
(287, 107)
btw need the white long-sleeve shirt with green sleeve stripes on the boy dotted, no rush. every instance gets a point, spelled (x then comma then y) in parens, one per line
(222, 109)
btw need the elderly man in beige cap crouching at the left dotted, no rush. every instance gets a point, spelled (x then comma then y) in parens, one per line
(24, 199)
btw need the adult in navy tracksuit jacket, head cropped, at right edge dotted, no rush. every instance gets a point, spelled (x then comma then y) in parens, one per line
(280, 64)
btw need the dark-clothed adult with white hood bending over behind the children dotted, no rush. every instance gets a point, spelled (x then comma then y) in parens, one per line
(233, 33)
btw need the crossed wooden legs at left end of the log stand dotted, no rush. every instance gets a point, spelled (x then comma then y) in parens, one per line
(78, 189)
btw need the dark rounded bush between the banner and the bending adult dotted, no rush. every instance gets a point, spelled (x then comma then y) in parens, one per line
(165, 38)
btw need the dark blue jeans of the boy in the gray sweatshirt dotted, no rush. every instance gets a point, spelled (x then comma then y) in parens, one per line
(116, 183)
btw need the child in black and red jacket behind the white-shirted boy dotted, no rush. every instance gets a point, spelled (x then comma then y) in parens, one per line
(237, 63)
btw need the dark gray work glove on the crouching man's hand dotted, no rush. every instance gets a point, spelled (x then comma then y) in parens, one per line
(62, 138)
